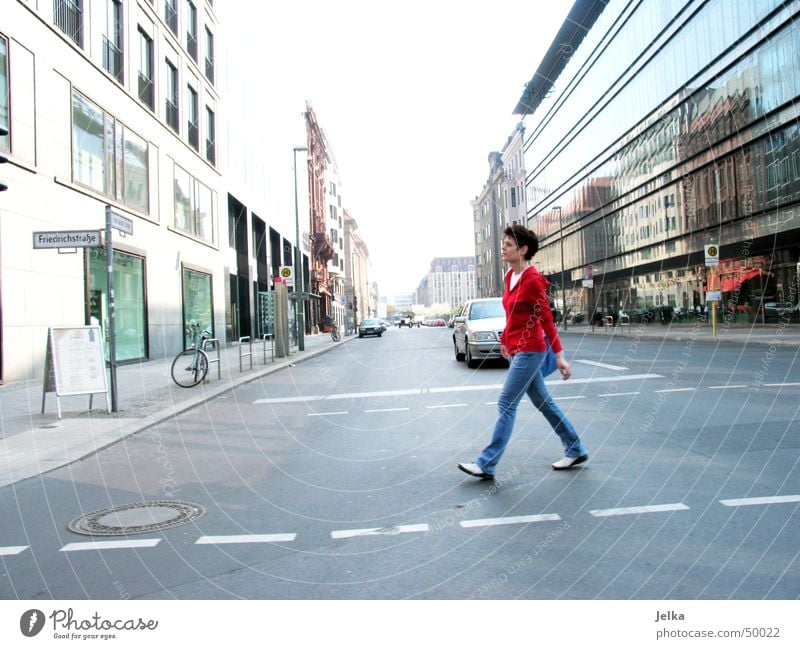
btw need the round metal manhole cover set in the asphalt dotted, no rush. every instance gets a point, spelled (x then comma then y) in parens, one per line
(136, 518)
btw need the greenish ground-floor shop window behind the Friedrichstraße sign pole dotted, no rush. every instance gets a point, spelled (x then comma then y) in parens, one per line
(129, 304)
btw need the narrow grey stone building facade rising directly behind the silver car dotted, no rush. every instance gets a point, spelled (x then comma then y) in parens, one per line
(488, 217)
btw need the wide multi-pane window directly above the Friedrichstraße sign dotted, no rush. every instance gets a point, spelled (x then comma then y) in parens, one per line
(108, 157)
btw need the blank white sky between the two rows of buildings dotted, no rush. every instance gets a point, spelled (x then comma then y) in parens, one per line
(412, 96)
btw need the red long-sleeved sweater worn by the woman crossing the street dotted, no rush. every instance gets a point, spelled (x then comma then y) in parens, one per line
(528, 315)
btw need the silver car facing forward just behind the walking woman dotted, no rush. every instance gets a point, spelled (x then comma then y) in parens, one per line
(476, 331)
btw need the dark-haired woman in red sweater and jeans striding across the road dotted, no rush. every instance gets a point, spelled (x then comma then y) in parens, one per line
(528, 320)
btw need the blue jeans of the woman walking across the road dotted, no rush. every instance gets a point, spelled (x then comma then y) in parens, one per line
(524, 377)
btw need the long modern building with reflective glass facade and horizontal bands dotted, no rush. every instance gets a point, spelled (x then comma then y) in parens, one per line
(669, 125)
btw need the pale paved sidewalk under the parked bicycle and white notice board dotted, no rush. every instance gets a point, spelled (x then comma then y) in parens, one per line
(32, 443)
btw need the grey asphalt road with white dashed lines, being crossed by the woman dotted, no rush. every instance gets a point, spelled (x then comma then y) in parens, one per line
(337, 479)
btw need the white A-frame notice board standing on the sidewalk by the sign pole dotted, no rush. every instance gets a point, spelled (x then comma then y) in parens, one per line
(75, 363)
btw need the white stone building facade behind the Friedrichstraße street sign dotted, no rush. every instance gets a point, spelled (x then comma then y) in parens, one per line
(110, 104)
